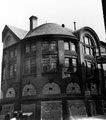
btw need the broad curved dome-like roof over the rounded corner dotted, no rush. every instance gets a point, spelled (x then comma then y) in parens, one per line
(50, 29)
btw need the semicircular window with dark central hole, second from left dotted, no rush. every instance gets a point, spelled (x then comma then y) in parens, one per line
(28, 90)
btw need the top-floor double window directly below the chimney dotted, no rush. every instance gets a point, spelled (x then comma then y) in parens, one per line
(30, 48)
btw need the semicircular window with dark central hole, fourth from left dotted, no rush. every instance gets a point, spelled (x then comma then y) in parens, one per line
(73, 88)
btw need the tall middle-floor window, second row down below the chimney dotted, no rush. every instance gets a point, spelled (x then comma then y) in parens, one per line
(29, 65)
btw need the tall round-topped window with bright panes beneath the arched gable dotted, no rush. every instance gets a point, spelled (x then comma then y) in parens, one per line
(87, 46)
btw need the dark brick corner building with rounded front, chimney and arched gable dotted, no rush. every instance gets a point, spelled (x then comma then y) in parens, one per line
(51, 72)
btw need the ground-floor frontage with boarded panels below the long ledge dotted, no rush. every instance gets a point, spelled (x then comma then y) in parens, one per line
(51, 109)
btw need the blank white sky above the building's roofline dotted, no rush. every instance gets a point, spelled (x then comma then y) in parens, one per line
(84, 12)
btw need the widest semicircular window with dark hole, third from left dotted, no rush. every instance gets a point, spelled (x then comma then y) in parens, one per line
(51, 88)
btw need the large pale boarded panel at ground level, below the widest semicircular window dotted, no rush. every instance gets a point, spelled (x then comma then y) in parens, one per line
(51, 110)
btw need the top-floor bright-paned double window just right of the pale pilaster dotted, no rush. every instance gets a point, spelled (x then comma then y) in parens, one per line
(68, 45)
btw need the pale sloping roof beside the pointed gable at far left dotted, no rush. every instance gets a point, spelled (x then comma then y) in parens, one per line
(20, 33)
